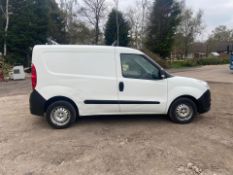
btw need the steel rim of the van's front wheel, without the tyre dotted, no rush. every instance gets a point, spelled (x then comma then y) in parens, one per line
(184, 112)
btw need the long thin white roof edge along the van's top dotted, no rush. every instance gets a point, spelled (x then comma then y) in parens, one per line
(89, 47)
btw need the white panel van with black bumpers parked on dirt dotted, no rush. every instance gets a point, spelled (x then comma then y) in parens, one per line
(75, 81)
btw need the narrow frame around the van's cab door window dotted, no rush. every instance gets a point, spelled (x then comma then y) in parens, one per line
(146, 58)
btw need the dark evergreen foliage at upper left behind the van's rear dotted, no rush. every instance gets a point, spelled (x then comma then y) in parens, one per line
(32, 22)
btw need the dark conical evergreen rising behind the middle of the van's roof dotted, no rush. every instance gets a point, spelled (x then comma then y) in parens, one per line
(111, 29)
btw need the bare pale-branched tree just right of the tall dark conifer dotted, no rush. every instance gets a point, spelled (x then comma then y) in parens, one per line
(190, 27)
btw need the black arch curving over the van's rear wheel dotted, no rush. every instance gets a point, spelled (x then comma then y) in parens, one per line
(61, 98)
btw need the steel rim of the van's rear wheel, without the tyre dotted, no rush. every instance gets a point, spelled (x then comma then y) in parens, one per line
(60, 116)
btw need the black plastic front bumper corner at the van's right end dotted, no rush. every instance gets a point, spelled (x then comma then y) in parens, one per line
(204, 102)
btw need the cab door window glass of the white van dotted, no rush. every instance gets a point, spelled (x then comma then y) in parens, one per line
(138, 67)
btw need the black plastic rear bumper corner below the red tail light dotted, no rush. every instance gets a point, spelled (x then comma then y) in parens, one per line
(37, 104)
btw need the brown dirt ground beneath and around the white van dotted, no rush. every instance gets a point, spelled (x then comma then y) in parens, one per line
(147, 145)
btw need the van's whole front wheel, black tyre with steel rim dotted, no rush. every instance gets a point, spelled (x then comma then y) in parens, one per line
(183, 110)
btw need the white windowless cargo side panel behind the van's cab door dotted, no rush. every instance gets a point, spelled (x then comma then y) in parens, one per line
(78, 74)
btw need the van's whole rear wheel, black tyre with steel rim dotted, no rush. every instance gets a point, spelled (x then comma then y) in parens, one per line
(61, 114)
